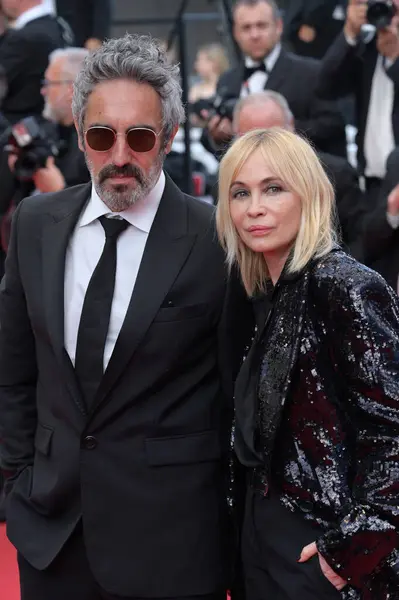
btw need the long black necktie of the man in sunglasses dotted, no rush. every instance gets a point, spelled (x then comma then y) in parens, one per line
(94, 320)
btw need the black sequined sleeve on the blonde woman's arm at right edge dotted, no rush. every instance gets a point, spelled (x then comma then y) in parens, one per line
(363, 338)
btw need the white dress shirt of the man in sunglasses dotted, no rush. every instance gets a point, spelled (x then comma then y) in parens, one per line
(84, 251)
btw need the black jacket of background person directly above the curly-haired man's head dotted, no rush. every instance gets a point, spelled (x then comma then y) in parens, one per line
(87, 19)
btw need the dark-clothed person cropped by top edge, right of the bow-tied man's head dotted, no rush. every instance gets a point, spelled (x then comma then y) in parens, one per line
(310, 26)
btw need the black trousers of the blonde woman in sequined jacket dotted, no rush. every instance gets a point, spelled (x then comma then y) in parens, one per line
(272, 541)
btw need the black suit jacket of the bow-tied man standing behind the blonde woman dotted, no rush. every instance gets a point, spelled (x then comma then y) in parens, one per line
(295, 77)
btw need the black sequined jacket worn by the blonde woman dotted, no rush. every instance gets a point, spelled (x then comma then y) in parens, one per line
(325, 370)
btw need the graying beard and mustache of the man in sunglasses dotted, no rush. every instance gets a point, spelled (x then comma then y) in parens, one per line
(120, 197)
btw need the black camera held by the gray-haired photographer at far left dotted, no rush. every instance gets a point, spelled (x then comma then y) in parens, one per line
(29, 140)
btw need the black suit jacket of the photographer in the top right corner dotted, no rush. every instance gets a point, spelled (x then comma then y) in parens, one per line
(349, 70)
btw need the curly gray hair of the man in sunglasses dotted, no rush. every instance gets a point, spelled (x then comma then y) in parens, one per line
(138, 58)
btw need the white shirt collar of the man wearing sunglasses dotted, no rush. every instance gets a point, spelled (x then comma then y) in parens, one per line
(141, 214)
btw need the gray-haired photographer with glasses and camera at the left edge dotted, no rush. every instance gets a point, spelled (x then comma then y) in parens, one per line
(56, 145)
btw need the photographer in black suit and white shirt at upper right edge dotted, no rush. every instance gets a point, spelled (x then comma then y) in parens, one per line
(363, 61)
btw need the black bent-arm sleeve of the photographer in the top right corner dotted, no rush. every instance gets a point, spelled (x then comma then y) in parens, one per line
(340, 69)
